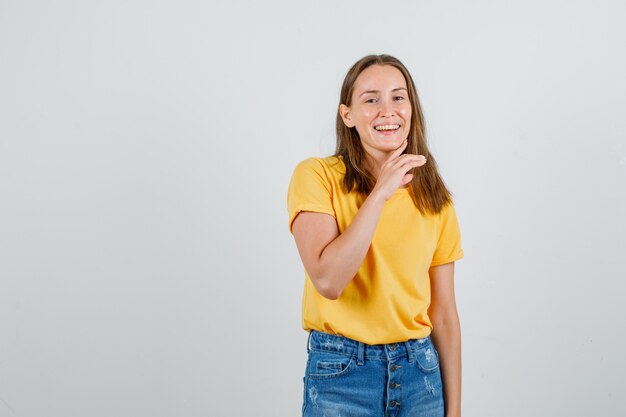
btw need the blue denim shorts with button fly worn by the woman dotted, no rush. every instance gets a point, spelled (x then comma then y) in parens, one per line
(347, 378)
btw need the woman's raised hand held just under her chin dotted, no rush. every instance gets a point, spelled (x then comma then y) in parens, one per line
(394, 172)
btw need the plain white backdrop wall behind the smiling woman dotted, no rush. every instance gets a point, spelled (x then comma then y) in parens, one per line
(146, 267)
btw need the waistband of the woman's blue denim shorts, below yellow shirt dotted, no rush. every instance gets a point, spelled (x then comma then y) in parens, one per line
(326, 342)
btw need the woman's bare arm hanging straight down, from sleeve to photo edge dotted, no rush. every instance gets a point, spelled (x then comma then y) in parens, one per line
(446, 334)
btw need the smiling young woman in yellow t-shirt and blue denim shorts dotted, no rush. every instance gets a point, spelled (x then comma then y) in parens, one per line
(377, 232)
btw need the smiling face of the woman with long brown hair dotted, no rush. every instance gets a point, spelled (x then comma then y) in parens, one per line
(380, 109)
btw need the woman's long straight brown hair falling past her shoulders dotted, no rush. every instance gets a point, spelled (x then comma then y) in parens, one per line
(428, 189)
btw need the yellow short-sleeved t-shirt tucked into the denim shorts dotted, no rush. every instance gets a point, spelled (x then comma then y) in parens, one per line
(388, 299)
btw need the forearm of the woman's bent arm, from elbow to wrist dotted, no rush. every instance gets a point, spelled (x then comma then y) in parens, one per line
(342, 258)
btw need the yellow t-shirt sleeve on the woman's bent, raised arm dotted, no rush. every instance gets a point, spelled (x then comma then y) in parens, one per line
(309, 190)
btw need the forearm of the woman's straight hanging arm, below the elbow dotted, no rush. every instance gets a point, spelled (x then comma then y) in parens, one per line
(446, 336)
